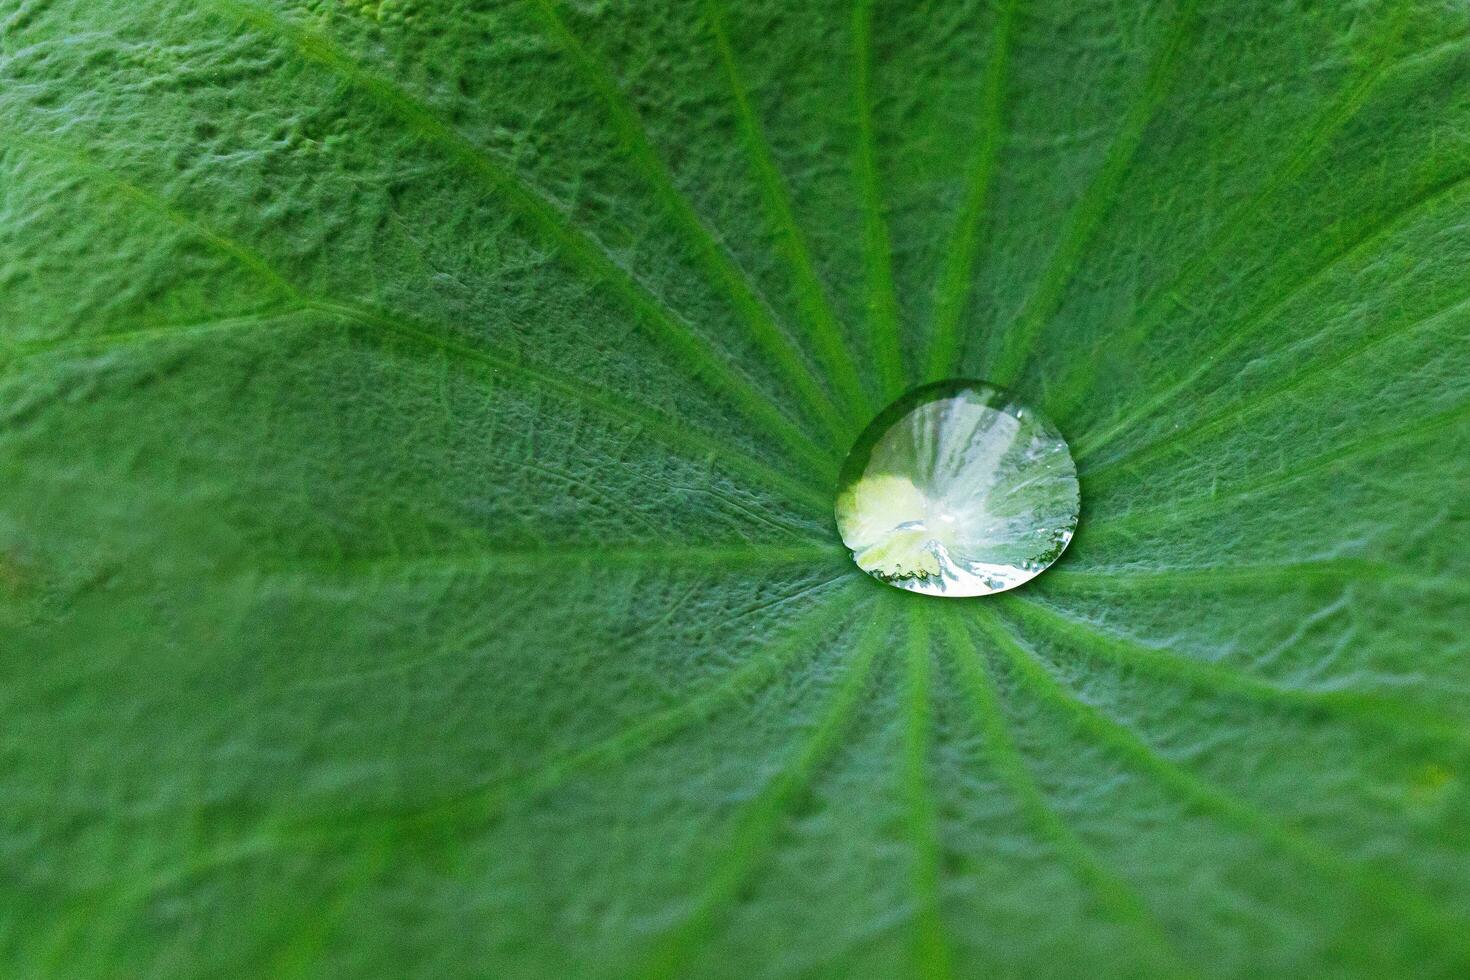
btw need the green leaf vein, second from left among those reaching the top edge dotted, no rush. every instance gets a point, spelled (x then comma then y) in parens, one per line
(714, 256)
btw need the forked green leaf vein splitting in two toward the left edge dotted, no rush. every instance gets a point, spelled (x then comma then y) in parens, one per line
(683, 439)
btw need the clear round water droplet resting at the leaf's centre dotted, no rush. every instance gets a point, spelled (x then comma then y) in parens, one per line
(958, 490)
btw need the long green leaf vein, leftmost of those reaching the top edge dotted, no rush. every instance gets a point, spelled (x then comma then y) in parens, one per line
(667, 327)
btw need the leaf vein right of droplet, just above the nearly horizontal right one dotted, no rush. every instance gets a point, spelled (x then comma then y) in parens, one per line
(1399, 437)
